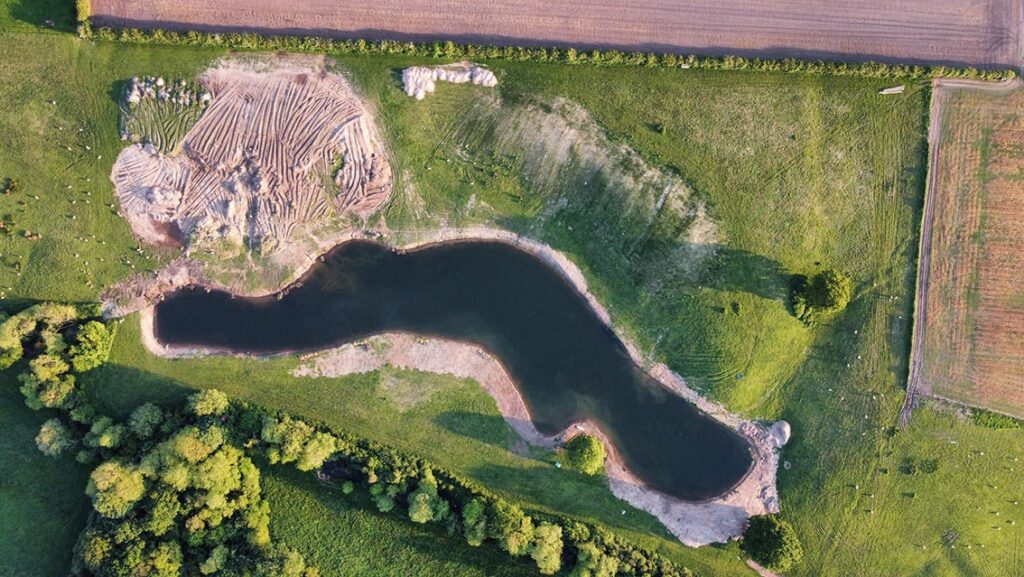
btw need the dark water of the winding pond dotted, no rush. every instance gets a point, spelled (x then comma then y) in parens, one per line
(568, 365)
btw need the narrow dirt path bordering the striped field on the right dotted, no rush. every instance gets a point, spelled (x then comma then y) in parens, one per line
(942, 90)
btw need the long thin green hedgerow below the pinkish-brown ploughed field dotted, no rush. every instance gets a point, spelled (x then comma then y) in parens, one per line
(449, 51)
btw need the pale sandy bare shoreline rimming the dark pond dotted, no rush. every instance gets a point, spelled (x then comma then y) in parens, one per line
(695, 524)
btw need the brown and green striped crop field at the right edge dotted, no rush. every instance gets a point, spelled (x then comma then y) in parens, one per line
(974, 334)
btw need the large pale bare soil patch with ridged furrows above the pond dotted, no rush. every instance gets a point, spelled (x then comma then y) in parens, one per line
(284, 154)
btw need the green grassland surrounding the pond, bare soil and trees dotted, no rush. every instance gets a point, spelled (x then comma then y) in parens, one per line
(796, 174)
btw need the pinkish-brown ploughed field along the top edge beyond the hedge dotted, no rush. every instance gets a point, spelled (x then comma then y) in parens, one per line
(973, 32)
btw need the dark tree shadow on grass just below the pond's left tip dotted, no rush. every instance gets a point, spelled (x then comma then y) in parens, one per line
(117, 390)
